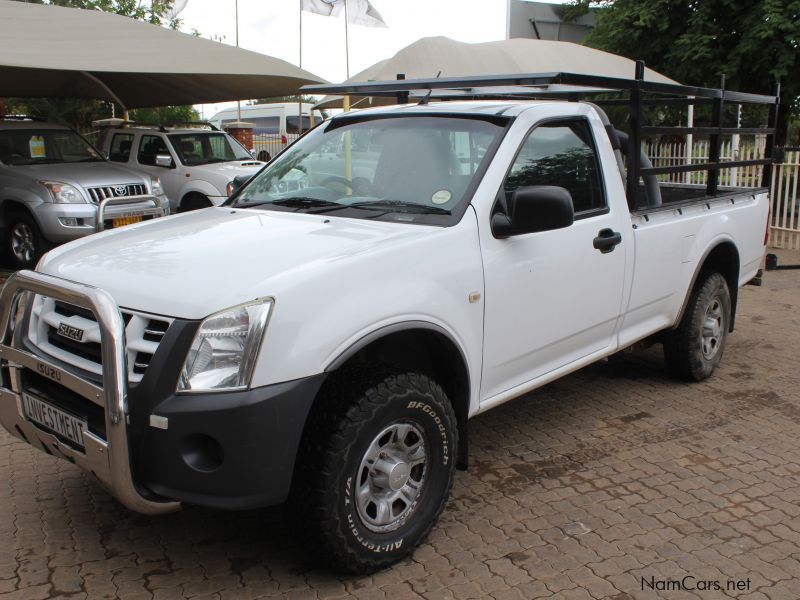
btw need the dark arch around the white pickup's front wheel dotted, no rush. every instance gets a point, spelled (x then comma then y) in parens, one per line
(418, 346)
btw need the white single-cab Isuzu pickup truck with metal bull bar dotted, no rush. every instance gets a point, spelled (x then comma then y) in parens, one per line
(325, 336)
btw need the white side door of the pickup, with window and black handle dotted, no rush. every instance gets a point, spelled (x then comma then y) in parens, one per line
(551, 297)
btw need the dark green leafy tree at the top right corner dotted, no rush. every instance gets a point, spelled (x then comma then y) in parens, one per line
(753, 42)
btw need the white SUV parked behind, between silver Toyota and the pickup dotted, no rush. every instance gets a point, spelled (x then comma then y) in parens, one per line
(196, 165)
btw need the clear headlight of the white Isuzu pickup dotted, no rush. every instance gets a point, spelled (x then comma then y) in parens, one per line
(224, 351)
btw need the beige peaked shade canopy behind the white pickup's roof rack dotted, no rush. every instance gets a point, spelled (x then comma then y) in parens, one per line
(426, 57)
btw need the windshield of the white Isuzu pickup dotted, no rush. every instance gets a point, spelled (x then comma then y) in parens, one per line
(406, 168)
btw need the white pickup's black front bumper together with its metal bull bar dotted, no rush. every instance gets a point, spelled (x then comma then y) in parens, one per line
(153, 448)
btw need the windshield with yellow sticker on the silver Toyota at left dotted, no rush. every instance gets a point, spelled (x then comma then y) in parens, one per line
(45, 146)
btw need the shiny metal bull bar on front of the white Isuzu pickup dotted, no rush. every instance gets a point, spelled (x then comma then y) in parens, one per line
(109, 459)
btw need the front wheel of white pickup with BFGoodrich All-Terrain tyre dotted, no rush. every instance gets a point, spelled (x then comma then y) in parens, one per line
(377, 469)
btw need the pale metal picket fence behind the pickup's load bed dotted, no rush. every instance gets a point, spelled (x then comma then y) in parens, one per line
(785, 212)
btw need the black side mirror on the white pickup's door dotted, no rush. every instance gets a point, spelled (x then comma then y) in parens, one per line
(535, 208)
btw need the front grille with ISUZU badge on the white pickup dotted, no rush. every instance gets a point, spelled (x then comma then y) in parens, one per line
(143, 334)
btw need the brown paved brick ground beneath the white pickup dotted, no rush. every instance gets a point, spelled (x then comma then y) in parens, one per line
(577, 491)
